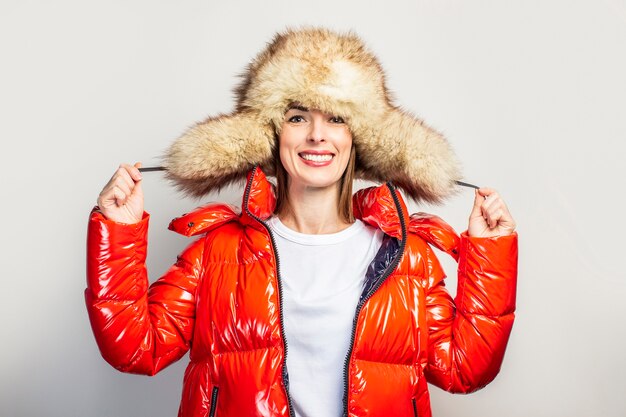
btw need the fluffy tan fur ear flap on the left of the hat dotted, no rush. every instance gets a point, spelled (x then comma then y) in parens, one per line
(219, 151)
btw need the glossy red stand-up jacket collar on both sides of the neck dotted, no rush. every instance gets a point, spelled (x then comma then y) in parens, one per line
(381, 206)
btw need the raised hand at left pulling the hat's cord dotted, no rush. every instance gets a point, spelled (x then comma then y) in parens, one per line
(121, 200)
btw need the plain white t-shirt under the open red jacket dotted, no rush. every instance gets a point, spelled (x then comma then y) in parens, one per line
(322, 278)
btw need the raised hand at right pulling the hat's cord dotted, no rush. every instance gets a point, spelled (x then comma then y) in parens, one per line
(490, 217)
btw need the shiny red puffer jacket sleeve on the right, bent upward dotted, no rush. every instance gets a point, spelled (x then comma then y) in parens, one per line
(468, 335)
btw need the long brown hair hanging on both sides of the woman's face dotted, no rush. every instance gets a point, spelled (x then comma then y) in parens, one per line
(345, 187)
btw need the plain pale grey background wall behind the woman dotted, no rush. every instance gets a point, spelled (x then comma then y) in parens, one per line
(530, 93)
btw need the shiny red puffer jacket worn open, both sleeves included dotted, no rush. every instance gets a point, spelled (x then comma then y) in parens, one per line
(222, 300)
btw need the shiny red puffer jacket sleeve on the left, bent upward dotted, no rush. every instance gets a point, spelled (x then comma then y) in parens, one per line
(139, 329)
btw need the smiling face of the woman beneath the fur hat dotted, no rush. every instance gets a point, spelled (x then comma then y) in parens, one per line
(314, 147)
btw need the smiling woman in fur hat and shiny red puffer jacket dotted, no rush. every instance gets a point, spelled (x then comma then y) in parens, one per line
(357, 293)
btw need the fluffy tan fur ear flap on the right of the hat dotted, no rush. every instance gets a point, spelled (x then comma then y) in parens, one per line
(415, 157)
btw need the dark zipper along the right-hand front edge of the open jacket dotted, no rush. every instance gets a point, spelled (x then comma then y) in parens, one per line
(390, 268)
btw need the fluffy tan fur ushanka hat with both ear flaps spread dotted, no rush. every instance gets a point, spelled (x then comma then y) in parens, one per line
(332, 72)
